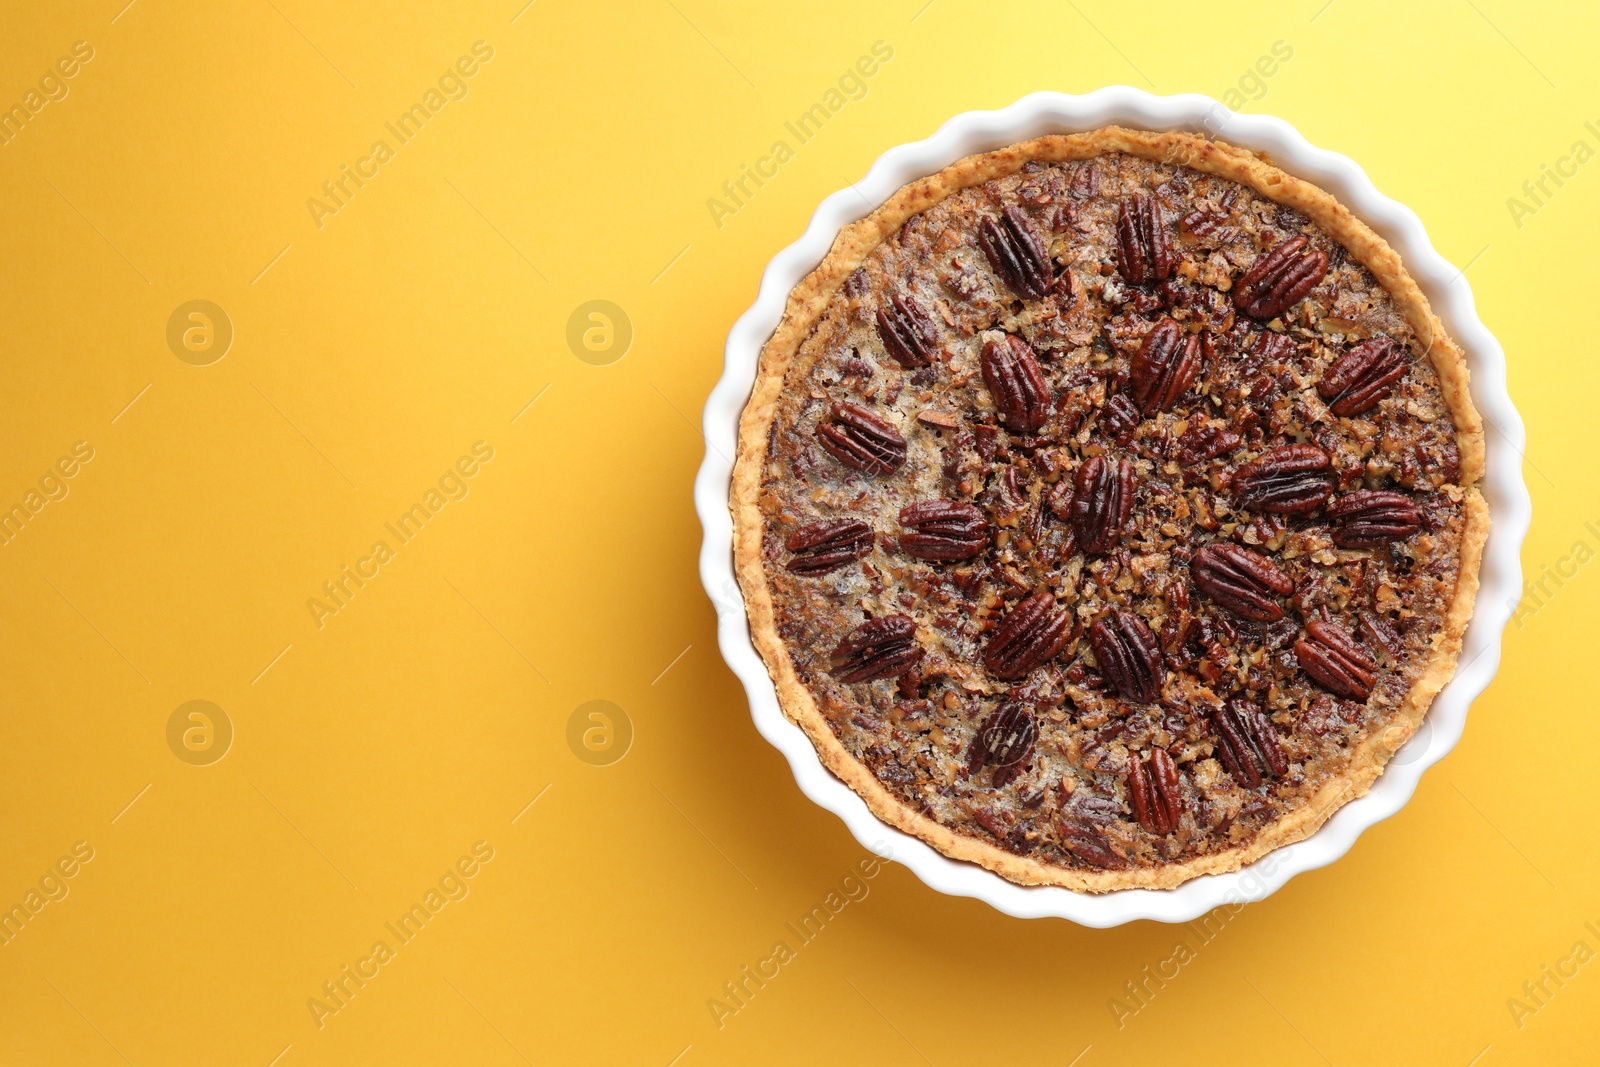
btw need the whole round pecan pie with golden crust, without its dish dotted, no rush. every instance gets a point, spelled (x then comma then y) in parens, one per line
(1106, 510)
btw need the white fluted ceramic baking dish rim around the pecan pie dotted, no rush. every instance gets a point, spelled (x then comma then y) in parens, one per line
(1503, 487)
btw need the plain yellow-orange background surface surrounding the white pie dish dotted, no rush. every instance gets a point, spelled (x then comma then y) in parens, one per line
(423, 318)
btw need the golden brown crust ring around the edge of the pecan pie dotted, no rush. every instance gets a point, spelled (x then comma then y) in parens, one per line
(807, 303)
